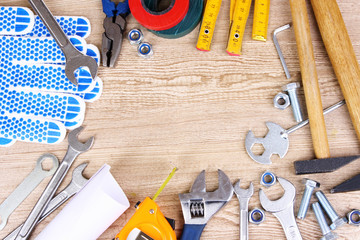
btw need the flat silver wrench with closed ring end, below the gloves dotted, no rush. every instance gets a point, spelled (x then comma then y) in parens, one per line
(26, 187)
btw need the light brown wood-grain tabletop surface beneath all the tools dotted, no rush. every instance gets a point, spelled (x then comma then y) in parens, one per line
(192, 110)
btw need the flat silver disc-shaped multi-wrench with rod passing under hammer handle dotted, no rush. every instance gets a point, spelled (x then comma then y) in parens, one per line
(276, 140)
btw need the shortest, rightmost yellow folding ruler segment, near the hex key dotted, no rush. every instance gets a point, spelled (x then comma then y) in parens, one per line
(261, 20)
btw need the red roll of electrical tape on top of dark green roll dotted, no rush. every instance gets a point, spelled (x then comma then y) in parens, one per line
(159, 21)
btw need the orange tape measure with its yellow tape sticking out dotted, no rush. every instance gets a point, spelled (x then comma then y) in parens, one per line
(148, 222)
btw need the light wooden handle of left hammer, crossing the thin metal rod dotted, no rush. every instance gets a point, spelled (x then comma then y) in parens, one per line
(309, 78)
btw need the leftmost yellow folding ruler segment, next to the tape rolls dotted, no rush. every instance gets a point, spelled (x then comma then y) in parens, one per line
(211, 12)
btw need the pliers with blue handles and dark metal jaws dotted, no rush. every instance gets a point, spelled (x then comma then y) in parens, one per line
(114, 25)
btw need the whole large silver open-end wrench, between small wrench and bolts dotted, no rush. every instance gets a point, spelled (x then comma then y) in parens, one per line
(283, 209)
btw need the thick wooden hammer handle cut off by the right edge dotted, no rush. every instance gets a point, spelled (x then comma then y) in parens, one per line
(341, 54)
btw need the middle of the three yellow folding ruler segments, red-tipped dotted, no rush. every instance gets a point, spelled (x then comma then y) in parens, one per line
(240, 16)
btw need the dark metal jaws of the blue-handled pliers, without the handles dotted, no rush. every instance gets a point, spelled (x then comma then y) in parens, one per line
(112, 39)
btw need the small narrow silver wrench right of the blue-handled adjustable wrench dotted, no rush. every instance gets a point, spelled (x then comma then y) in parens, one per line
(244, 196)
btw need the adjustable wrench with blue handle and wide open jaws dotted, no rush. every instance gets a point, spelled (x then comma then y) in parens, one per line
(198, 206)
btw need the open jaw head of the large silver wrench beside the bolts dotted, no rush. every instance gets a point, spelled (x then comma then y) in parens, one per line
(282, 203)
